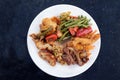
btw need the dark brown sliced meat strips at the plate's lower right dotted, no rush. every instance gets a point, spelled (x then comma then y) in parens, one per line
(72, 56)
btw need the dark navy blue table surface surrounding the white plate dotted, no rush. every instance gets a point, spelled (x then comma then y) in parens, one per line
(15, 19)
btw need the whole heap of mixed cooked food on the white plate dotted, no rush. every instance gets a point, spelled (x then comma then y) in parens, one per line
(65, 39)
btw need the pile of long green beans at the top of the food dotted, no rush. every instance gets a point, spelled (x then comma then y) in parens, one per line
(81, 22)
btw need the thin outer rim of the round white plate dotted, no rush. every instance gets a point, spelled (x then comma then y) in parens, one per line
(28, 36)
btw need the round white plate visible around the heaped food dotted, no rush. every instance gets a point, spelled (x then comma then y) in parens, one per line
(60, 70)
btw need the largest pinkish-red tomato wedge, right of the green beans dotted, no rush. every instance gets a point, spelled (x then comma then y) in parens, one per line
(83, 31)
